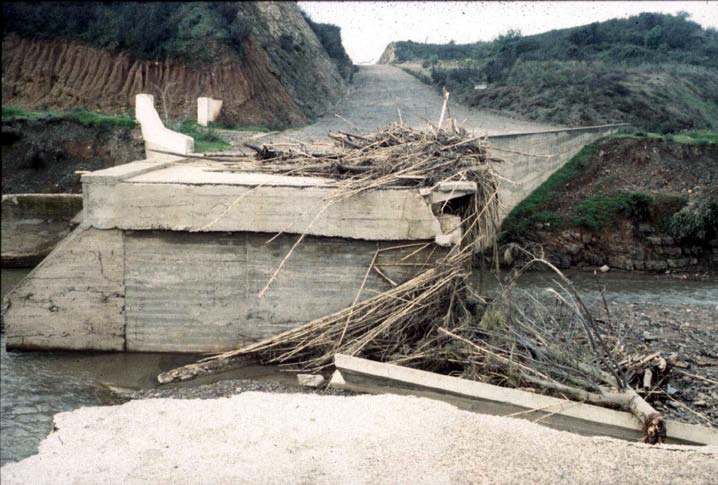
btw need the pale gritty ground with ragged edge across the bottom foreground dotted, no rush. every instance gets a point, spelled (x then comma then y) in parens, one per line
(257, 437)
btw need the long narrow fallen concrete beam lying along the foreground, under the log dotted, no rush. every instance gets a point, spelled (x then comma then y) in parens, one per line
(363, 375)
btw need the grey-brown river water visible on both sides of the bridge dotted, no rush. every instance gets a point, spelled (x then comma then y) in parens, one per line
(37, 385)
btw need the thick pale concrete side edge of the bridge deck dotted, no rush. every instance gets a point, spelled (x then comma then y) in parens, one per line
(244, 205)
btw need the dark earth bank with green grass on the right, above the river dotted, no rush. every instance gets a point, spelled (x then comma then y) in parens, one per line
(619, 205)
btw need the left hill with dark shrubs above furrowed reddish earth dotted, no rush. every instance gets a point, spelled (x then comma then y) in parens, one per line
(263, 59)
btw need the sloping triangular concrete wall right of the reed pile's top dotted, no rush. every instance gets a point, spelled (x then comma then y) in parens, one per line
(530, 158)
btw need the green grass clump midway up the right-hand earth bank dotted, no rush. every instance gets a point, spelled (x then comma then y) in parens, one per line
(600, 209)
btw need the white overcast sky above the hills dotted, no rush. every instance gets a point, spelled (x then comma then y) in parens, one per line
(367, 27)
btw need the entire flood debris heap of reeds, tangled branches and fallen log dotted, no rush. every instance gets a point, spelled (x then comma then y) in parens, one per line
(429, 321)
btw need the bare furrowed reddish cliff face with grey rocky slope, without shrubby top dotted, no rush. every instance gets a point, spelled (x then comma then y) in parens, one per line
(282, 76)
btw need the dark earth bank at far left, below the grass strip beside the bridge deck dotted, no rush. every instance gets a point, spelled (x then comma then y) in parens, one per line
(41, 156)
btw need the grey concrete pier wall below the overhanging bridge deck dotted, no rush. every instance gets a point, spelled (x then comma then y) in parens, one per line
(170, 291)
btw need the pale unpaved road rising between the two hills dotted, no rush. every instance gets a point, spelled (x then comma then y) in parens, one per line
(372, 101)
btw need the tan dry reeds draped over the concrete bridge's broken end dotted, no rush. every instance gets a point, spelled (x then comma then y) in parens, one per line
(401, 324)
